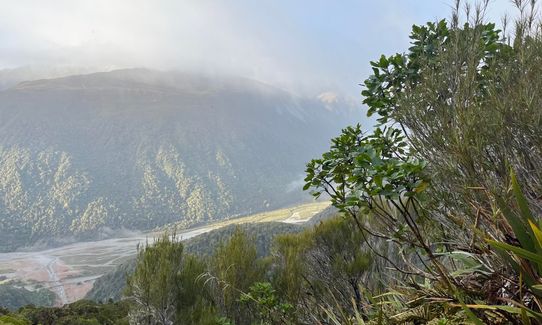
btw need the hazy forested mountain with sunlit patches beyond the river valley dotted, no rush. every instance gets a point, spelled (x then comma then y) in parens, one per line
(84, 155)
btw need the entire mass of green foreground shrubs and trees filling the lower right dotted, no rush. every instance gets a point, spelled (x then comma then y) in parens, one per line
(439, 205)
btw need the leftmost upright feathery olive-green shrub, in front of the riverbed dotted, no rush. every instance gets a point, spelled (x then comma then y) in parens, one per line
(167, 287)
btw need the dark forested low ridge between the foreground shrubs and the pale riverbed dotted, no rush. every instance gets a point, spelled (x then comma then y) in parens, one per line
(111, 285)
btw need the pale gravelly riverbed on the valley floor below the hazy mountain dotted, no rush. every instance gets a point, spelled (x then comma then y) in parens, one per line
(70, 270)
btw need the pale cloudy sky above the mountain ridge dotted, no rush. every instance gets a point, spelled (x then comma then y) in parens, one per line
(303, 46)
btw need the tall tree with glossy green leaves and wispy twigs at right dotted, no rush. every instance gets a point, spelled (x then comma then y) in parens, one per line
(456, 113)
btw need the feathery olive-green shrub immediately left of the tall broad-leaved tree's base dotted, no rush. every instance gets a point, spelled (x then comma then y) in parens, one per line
(325, 266)
